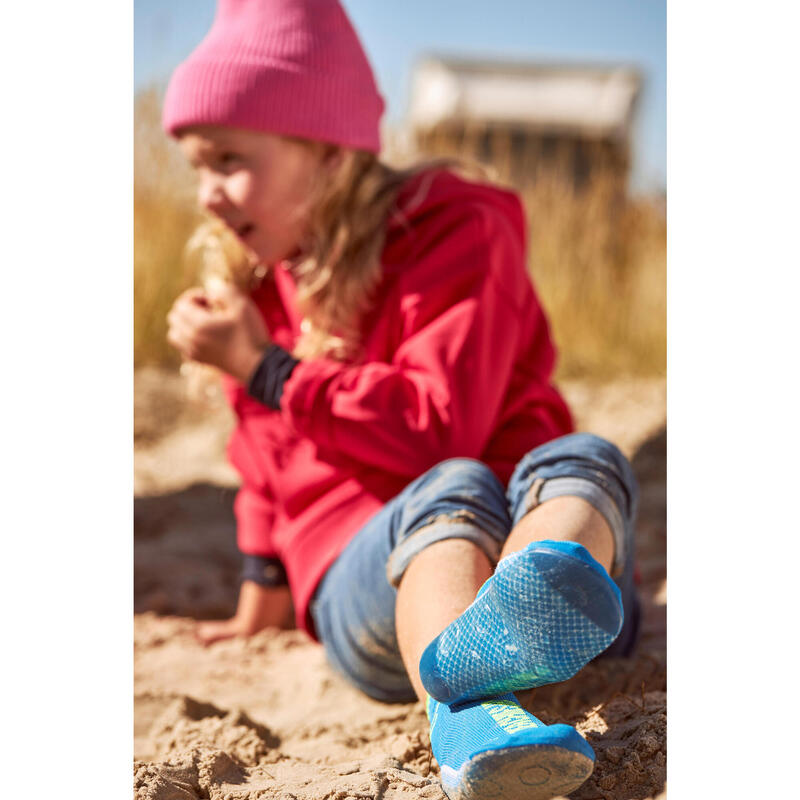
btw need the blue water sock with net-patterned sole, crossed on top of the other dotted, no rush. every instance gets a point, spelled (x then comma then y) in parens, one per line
(547, 611)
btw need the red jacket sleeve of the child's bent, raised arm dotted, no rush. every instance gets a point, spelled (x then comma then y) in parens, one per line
(457, 309)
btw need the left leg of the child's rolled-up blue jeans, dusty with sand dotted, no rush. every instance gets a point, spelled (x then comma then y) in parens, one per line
(459, 498)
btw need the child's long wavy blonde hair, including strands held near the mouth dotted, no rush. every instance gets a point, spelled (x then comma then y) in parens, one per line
(339, 267)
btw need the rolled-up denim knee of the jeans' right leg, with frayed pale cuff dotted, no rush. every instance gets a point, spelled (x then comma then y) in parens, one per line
(582, 465)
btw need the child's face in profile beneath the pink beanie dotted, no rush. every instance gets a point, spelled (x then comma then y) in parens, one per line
(258, 184)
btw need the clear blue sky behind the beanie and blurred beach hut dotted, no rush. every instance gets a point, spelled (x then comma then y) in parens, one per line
(396, 34)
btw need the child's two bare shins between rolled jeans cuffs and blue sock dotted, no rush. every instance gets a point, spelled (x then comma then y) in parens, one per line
(444, 578)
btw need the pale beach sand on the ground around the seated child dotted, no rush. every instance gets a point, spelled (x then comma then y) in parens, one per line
(266, 717)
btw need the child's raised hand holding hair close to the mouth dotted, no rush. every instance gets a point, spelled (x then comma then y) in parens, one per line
(224, 330)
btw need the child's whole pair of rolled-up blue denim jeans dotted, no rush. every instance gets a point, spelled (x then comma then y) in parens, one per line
(354, 606)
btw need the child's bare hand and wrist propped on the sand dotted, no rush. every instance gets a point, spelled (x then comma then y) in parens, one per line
(259, 607)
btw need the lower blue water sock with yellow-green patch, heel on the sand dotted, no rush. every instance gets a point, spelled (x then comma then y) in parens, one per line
(496, 749)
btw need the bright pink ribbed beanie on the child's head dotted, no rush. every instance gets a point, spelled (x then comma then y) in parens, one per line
(291, 67)
